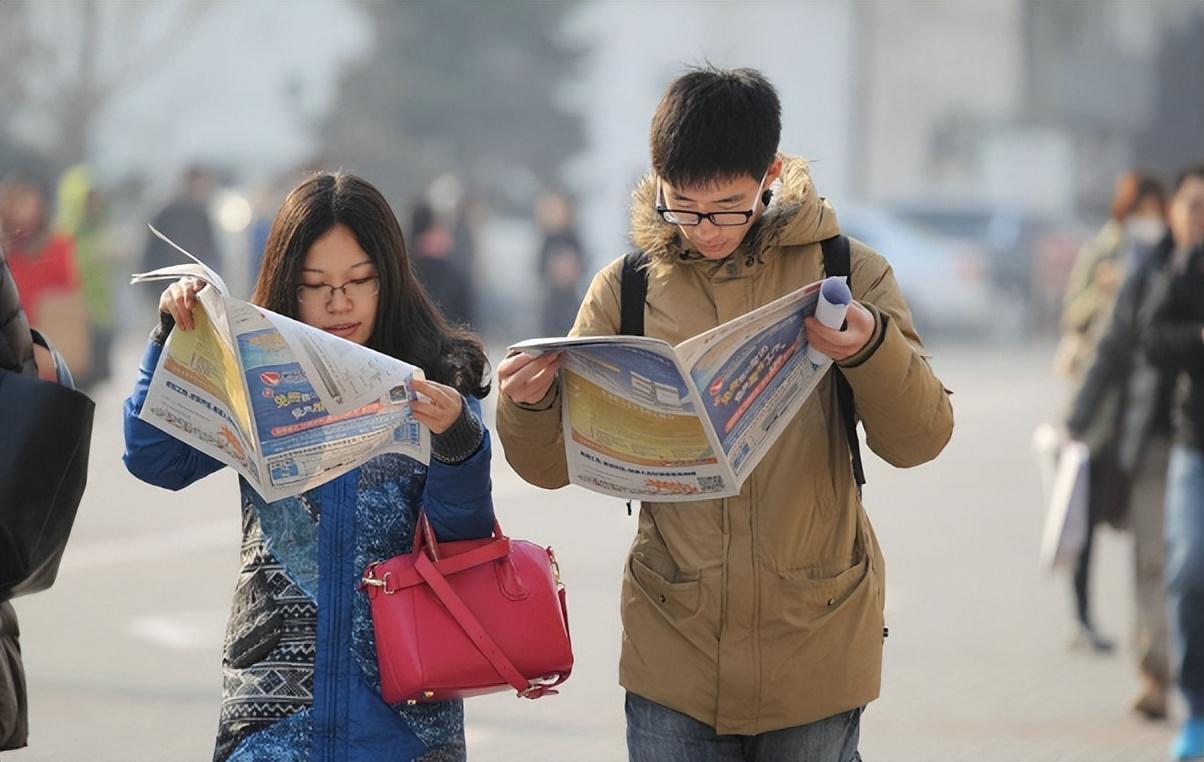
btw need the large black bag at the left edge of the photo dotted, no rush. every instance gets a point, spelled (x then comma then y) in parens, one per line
(44, 468)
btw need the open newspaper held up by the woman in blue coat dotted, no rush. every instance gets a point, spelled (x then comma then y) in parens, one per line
(286, 405)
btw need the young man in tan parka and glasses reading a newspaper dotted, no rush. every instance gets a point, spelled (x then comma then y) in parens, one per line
(753, 625)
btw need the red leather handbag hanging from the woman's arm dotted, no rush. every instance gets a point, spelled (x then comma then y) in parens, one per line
(468, 618)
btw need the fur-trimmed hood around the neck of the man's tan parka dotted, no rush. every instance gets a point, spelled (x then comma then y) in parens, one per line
(796, 216)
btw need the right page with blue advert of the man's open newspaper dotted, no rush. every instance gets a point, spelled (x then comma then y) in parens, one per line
(754, 375)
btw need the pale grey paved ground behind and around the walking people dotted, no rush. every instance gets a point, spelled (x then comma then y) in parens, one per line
(123, 653)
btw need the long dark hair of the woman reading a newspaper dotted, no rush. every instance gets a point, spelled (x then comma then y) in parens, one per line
(409, 326)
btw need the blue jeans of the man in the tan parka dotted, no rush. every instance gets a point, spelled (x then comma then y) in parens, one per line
(657, 734)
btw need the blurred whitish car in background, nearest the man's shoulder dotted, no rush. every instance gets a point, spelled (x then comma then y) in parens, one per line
(945, 279)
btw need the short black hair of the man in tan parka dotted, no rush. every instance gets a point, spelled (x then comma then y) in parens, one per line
(716, 125)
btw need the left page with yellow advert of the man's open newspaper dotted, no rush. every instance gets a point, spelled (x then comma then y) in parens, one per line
(631, 421)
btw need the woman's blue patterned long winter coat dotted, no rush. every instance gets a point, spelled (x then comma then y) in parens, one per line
(300, 670)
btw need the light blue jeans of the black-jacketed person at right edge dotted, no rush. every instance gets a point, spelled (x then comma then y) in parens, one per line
(1185, 572)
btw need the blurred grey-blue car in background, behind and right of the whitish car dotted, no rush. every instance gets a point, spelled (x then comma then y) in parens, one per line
(1030, 255)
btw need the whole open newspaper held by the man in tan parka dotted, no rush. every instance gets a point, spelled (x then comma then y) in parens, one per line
(646, 421)
